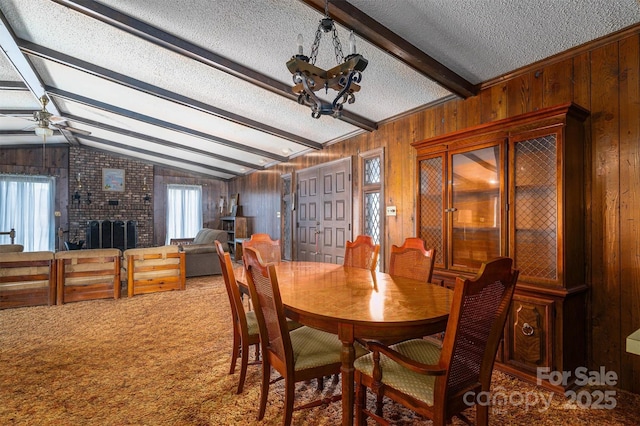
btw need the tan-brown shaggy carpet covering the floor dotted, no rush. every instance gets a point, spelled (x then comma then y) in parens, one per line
(163, 359)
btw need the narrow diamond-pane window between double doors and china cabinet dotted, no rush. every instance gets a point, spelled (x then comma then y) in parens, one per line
(372, 198)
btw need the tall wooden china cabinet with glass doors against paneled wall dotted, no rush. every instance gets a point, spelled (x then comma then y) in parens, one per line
(516, 187)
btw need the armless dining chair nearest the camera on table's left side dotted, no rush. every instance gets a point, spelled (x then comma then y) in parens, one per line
(302, 354)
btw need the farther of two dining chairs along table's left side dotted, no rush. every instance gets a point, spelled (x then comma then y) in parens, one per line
(245, 325)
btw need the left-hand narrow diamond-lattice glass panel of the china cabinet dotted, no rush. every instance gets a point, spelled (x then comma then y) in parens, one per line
(431, 206)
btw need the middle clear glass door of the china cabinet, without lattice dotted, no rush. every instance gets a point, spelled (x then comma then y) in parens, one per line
(475, 213)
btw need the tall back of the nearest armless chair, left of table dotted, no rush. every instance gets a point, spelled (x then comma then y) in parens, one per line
(265, 294)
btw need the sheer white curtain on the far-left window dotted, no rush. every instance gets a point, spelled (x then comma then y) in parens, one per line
(27, 205)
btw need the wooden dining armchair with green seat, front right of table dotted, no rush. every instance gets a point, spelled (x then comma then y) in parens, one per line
(439, 382)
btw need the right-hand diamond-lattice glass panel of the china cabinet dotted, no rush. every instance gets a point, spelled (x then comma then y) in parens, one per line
(536, 208)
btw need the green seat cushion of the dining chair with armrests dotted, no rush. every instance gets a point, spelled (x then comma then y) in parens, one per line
(417, 385)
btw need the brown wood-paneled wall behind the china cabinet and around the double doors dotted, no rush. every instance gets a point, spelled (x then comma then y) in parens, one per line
(604, 78)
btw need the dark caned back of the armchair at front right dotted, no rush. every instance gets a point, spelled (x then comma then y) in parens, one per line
(476, 322)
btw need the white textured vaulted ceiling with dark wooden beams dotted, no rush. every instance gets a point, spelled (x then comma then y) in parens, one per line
(201, 85)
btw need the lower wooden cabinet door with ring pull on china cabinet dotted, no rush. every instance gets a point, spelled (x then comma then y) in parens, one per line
(529, 333)
